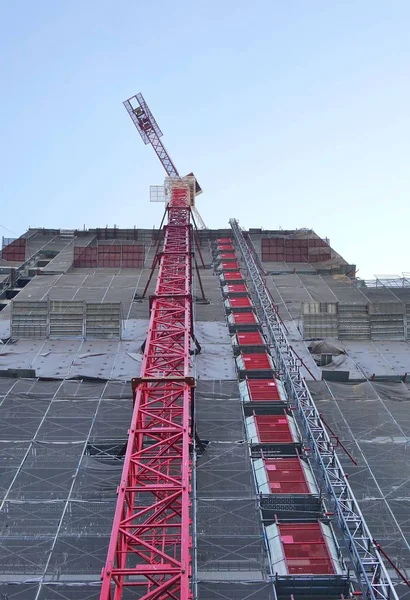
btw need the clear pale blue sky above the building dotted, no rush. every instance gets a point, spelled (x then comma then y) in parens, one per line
(291, 113)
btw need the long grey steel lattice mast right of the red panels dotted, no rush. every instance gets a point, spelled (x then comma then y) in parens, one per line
(373, 579)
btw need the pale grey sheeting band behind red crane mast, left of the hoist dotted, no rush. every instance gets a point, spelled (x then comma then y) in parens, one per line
(112, 359)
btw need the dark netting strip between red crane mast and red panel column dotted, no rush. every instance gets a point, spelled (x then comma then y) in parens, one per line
(229, 534)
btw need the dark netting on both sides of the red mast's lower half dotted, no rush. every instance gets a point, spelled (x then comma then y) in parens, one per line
(61, 444)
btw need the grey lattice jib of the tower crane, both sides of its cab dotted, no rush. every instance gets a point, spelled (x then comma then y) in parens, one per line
(150, 133)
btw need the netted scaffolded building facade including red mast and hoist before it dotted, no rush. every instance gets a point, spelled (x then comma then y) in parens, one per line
(209, 414)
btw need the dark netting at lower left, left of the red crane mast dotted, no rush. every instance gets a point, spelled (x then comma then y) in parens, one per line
(60, 465)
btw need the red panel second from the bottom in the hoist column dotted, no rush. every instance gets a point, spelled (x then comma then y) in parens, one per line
(286, 476)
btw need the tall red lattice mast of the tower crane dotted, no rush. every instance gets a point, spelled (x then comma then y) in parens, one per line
(150, 546)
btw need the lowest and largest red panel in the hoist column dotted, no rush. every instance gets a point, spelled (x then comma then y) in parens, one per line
(305, 549)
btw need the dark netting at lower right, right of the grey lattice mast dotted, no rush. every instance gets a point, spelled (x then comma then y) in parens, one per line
(373, 421)
